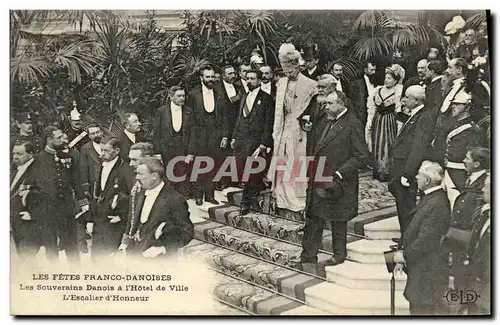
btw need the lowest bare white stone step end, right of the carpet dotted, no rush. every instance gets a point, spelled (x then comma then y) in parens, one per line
(339, 300)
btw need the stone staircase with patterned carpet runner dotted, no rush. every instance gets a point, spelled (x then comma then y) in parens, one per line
(255, 258)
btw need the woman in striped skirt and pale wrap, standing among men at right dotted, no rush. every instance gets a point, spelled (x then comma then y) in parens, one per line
(382, 127)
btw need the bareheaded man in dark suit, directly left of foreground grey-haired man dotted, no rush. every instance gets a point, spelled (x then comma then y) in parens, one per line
(110, 200)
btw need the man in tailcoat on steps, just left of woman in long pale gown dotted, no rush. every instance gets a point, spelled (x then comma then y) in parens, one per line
(252, 134)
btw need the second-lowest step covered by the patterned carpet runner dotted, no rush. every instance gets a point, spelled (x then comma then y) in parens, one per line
(277, 278)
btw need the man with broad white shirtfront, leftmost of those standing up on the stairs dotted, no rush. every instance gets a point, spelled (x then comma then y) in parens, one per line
(175, 137)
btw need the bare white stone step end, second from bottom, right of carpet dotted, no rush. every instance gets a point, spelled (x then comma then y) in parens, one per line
(363, 276)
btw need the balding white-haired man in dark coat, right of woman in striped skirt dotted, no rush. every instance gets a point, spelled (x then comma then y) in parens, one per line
(408, 151)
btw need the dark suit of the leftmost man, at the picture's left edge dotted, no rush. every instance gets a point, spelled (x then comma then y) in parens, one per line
(24, 232)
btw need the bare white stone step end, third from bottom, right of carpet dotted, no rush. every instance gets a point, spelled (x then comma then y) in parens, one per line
(368, 251)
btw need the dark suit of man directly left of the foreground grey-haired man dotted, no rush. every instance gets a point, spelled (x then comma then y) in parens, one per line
(107, 236)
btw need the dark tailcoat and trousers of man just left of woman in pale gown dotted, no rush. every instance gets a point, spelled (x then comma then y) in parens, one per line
(249, 132)
